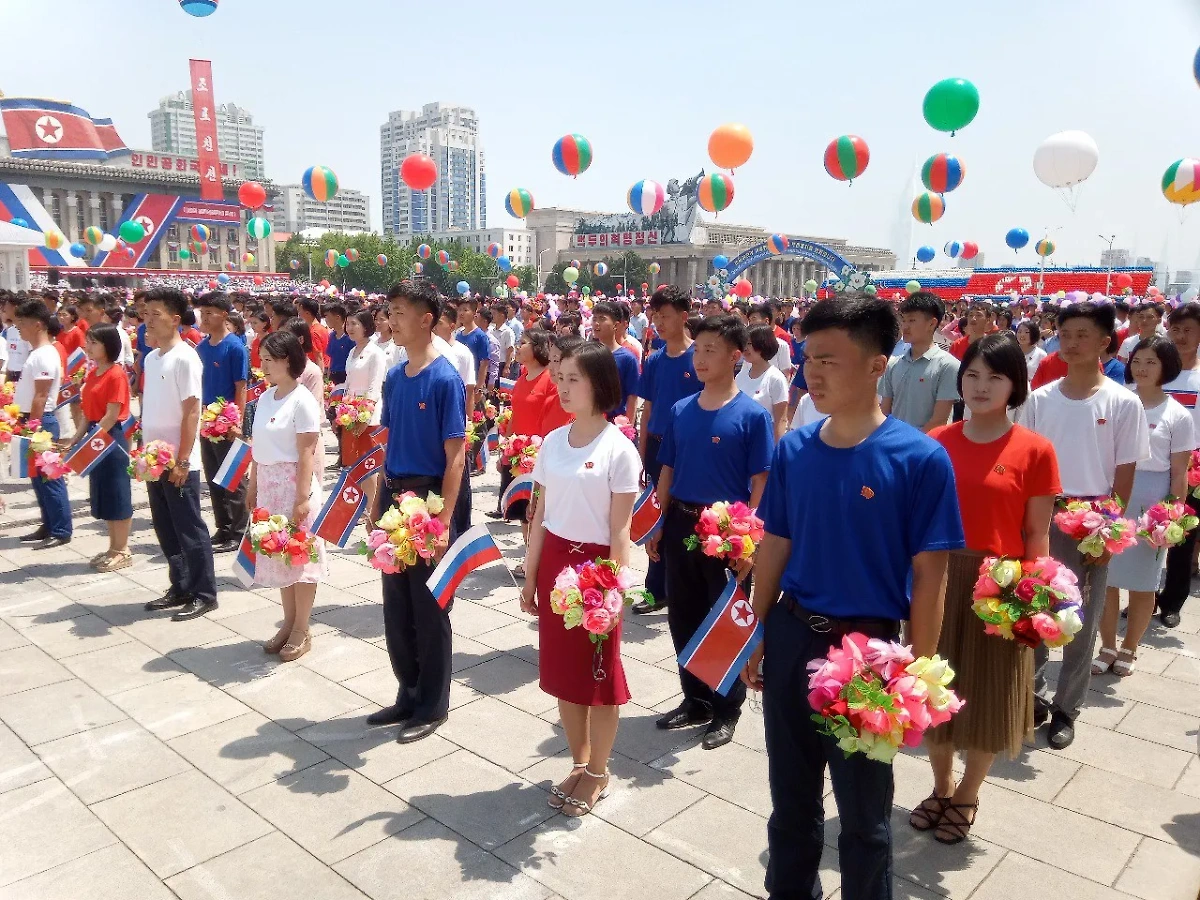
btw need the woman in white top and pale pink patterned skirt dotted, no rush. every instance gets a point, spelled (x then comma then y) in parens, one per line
(284, 482)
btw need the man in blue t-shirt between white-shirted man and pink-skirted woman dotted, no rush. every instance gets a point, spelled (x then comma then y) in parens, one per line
(226, 363)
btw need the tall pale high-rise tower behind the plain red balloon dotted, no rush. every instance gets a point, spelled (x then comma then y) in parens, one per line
(458, 201)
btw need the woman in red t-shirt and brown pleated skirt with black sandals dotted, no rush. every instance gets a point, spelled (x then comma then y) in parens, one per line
(1007, 479)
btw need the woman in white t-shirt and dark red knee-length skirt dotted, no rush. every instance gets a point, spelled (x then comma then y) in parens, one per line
(587, 477)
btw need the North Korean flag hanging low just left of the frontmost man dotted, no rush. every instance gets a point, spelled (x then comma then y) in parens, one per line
(719, 650)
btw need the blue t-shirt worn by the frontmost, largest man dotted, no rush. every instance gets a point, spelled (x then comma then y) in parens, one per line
(857, 517)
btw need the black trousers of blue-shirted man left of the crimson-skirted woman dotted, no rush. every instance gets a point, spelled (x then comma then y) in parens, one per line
(417, 629)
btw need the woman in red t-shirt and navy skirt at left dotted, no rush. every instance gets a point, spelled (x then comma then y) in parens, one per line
(106, 404)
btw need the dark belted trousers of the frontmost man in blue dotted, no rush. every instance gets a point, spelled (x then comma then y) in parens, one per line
(797, 757)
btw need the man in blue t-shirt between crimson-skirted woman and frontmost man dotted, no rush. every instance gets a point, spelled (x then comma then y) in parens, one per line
(716, 447)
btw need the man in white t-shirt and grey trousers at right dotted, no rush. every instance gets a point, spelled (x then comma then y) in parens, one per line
(1100, 434)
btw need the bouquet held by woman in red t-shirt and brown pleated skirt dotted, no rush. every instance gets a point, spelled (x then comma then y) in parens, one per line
(1033, 603)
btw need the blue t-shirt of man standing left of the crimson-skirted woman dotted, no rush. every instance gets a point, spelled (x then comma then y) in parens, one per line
(422, 413)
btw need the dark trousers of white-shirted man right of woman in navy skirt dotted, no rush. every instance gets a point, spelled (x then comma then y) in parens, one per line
(183, 536)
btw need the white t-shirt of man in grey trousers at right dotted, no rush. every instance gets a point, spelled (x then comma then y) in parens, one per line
(1091, 437)
